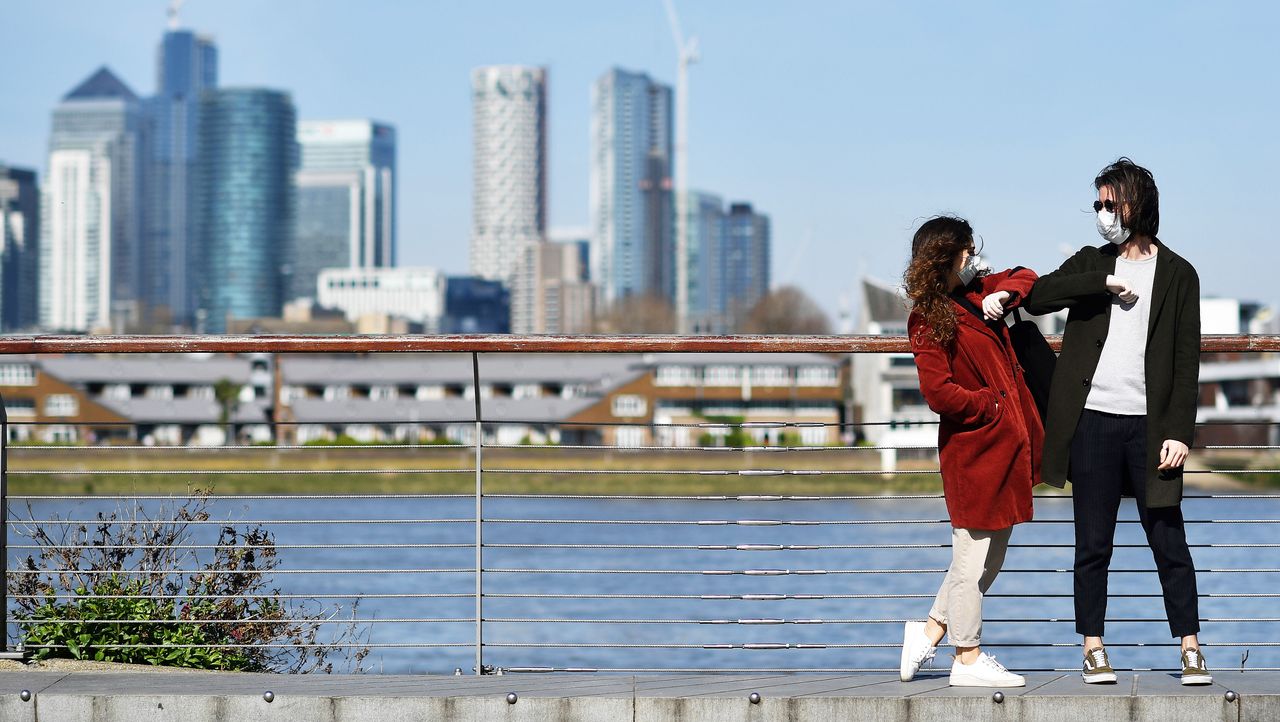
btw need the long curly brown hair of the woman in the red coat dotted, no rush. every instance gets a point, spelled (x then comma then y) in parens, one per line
(929, 277)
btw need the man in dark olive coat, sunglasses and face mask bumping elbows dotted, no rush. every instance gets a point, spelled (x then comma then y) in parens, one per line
(1122, 409)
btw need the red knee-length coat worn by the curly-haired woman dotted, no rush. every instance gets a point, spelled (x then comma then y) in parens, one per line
(990, 453)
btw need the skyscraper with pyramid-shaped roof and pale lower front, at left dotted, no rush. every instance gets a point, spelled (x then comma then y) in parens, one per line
(92, 212)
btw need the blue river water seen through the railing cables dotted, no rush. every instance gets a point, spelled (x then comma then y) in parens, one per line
(1018, 595)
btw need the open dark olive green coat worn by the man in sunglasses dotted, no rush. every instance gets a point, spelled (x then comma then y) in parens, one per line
(1172, 365)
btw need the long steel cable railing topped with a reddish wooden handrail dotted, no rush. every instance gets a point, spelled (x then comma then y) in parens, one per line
(525, 554)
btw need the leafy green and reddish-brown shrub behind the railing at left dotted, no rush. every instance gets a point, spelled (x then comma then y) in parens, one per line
(130, 591)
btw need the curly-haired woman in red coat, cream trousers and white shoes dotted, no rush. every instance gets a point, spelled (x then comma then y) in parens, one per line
(990, 435)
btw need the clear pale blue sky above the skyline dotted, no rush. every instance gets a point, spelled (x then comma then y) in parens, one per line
(847, 122)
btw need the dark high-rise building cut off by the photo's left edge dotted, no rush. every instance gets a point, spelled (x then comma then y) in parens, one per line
(20, 249)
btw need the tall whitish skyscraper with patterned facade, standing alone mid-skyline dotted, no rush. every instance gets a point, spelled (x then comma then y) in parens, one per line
(510, 167)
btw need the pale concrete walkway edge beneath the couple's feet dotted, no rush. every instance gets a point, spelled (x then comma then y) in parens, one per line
(127, 697)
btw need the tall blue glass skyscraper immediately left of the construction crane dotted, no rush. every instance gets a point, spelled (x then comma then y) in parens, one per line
(632, 211)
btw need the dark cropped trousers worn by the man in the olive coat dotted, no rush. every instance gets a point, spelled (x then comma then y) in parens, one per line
(1109, 456)
